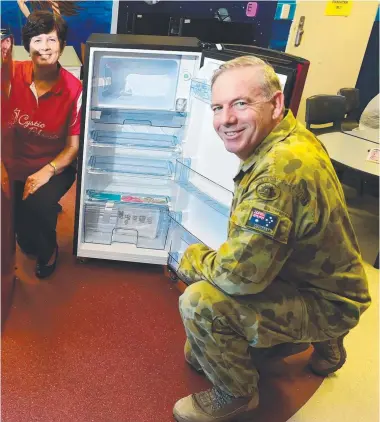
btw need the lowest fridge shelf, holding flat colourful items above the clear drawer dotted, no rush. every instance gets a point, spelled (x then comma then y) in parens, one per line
(127, 197)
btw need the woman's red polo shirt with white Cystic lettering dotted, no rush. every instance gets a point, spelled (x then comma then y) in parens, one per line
(38, 127)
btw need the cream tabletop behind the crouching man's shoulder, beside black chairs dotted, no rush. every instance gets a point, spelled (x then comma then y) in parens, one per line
(351, 151)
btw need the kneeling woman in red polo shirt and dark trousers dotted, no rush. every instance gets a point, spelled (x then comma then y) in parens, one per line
(43, 125)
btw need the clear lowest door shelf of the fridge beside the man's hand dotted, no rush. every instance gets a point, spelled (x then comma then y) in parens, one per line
(180, 240)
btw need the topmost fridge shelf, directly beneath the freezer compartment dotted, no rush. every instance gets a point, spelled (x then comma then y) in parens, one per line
(139, 117)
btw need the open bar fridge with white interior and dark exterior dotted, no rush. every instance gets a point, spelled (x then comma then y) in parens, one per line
(153, 176)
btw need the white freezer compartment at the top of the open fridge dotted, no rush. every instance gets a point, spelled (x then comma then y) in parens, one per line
(143, 79)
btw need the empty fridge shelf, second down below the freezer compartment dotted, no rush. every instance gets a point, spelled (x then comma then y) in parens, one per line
(103, 138)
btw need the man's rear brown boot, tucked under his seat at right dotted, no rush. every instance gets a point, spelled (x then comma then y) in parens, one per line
(328, 356)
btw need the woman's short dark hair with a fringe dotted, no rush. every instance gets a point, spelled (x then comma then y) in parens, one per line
(43, 22)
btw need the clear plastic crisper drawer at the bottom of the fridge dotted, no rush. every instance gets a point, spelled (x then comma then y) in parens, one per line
(143, 225)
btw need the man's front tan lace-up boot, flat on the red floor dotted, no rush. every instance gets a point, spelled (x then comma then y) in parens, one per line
(212, 405)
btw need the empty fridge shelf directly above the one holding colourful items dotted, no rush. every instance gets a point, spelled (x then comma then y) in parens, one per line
(130, 166)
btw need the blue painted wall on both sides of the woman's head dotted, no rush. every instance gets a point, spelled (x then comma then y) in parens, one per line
(93, 16)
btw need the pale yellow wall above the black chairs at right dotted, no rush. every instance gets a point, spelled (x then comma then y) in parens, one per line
(335, 46)
